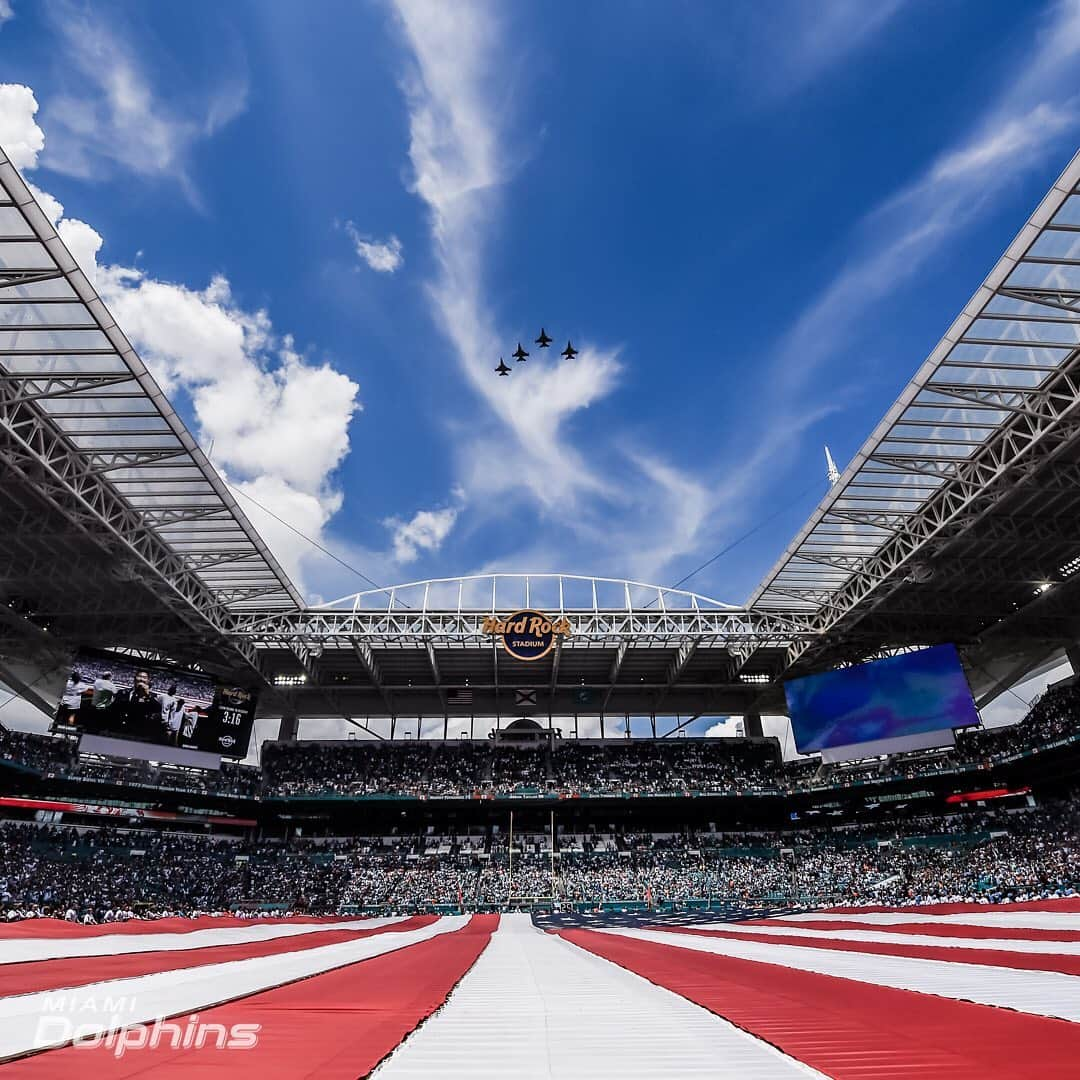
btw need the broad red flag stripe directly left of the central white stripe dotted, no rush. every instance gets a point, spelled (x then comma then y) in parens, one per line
(335, 1027)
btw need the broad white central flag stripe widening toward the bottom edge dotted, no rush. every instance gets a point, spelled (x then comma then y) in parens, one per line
(535, 1006)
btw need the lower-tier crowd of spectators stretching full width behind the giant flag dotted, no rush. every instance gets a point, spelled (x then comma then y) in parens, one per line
(99, 875)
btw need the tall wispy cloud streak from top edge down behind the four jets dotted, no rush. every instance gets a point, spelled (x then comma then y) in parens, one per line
(460, 167)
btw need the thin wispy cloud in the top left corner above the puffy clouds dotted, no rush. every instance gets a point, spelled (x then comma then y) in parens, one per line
(109, 115)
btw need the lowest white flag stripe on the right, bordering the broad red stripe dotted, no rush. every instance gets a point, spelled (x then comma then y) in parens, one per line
(1041, 993)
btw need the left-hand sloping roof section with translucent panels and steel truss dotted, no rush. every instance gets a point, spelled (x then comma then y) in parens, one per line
(86, 430)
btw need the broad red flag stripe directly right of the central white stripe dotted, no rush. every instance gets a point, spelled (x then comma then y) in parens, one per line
(854, 1031)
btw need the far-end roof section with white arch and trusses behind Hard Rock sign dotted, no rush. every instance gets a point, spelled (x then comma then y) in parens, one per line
(421, 650)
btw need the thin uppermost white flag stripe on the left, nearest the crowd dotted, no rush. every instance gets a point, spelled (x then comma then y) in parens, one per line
(25, 950)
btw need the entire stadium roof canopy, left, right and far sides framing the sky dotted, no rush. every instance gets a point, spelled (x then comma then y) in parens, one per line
(960, 520)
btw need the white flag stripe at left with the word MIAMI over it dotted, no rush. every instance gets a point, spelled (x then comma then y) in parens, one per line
(145, 998)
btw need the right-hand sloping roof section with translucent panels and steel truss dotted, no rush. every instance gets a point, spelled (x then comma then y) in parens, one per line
(994, 406)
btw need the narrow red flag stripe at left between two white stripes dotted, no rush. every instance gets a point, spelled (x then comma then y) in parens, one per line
(80, 971)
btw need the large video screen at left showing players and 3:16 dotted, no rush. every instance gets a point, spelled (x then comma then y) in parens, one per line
(112, 695)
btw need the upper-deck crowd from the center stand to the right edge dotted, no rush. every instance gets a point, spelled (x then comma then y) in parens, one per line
(586, 767)
